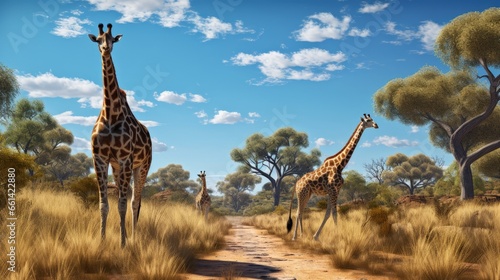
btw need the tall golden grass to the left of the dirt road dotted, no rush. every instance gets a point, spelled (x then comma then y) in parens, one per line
(58, 238)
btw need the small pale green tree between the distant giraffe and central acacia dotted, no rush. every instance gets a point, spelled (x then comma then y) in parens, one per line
(236, 186)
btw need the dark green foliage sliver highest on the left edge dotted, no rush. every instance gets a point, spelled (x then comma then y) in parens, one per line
(9, 89)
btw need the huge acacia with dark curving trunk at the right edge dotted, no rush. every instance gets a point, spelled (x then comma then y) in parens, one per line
(463, 114)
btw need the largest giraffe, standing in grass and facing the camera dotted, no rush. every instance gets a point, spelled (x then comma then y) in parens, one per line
(118, 139)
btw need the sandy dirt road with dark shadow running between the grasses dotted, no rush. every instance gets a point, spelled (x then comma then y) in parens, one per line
(251, 253)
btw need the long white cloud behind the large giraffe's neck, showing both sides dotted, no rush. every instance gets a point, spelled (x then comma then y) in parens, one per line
(88, 93)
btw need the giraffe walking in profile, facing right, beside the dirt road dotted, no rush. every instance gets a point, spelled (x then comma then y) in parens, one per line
(326, 180)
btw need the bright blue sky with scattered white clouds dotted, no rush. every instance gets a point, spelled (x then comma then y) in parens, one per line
(205, 75)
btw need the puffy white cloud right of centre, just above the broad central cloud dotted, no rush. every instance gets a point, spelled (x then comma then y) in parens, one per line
(322, 26)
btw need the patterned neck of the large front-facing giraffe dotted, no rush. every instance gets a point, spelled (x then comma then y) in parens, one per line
(113, 99)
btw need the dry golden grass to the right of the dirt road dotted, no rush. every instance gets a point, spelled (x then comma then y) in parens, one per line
(439, 241)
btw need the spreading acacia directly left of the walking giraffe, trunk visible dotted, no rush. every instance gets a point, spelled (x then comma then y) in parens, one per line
(277, 156)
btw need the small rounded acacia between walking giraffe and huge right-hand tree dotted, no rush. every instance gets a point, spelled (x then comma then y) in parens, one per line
(418, 171)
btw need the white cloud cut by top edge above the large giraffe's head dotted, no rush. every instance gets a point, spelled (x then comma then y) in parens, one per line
(167, 13)
